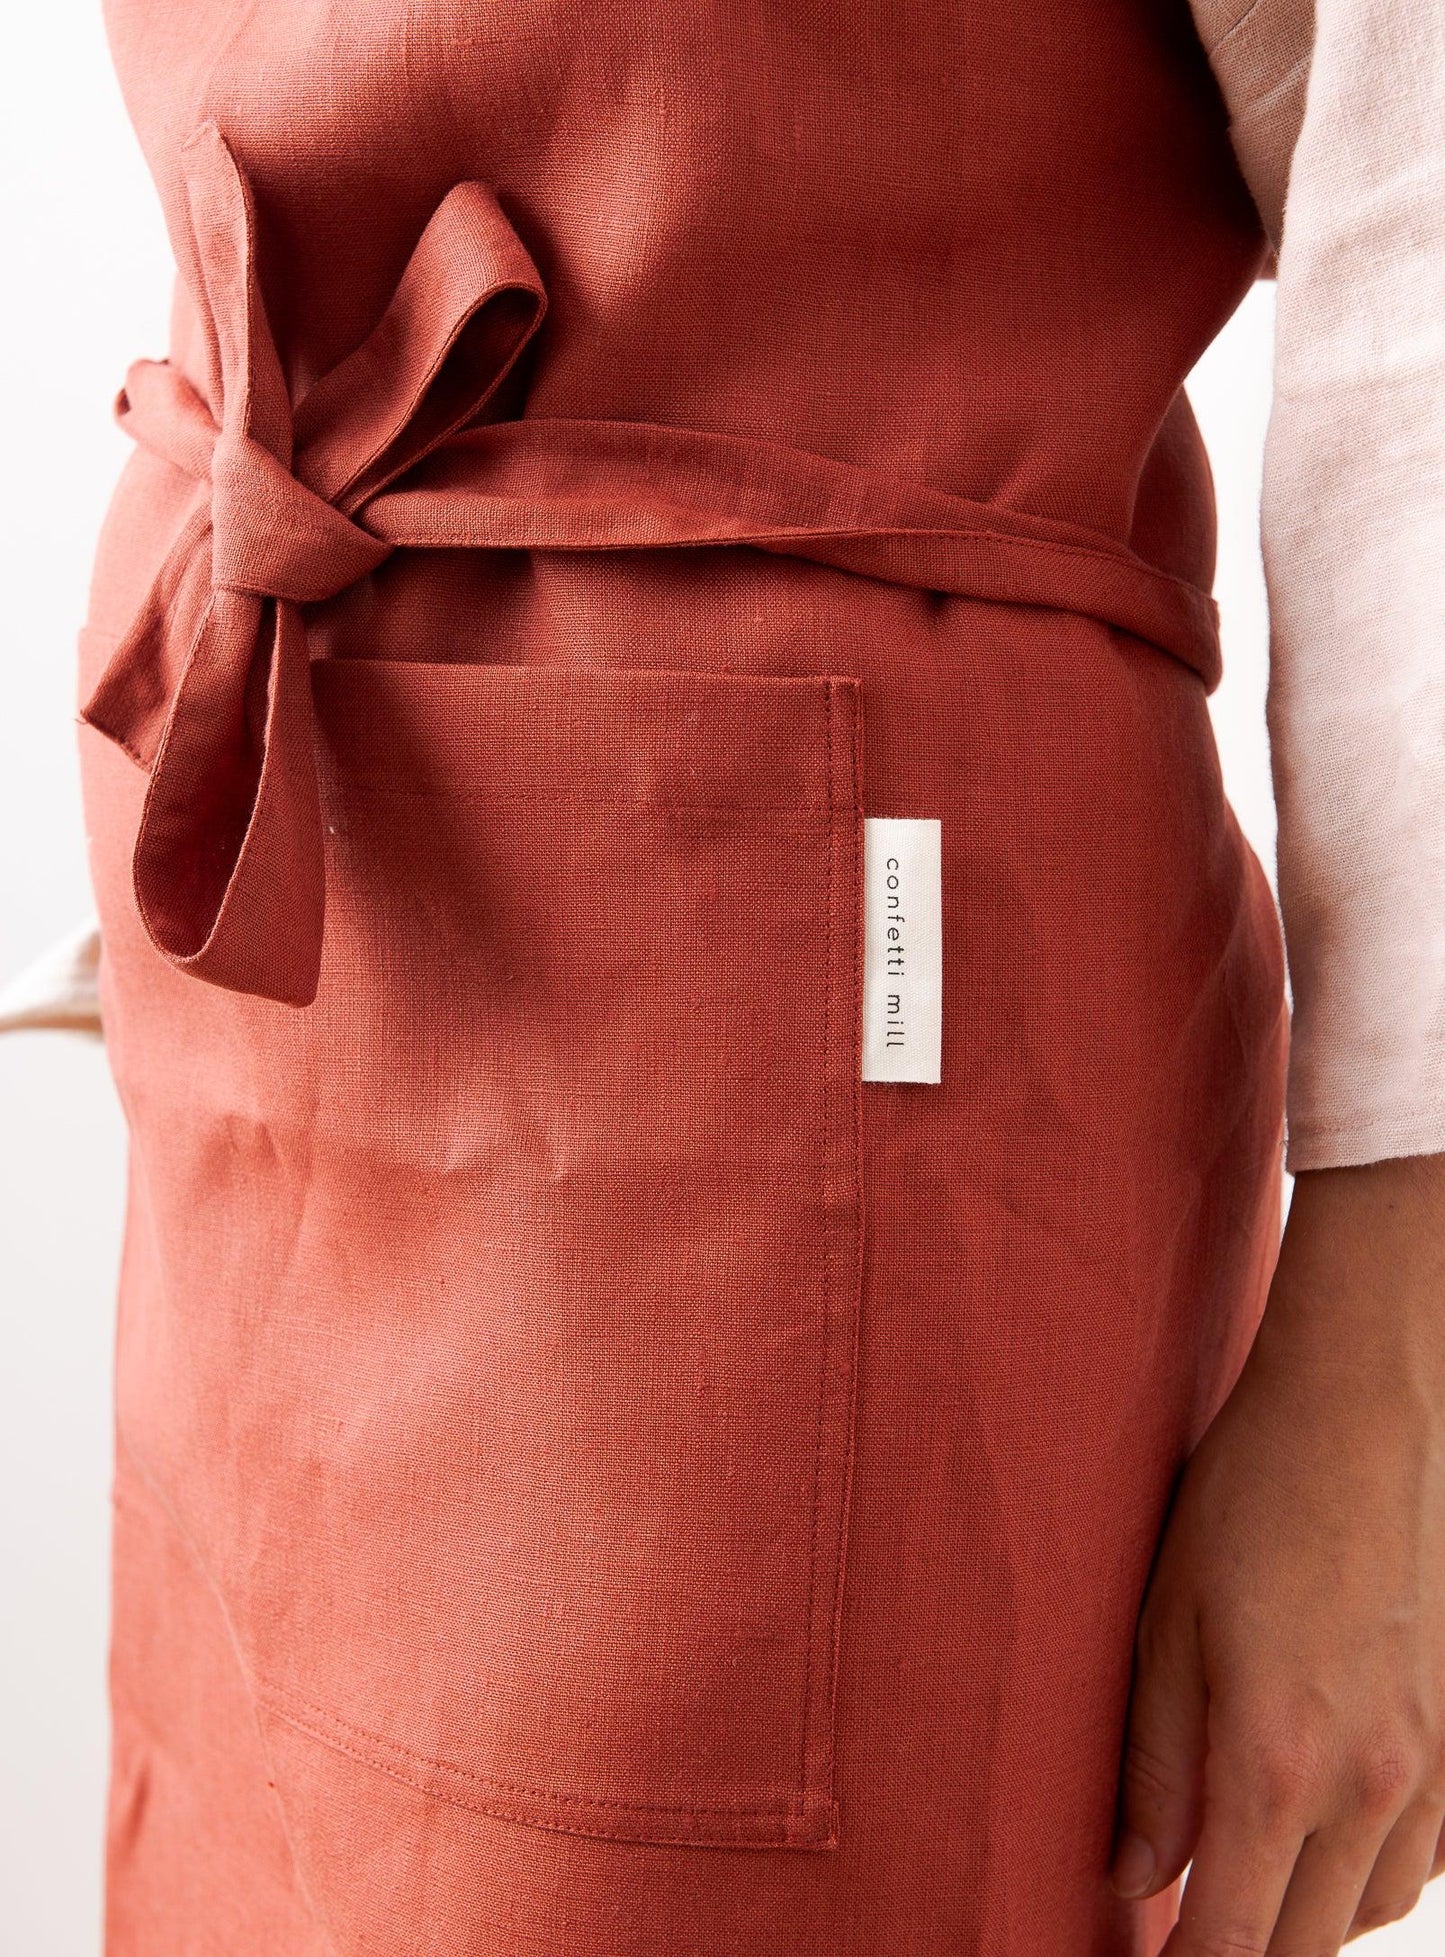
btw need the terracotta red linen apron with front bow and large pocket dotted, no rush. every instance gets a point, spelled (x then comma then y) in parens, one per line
(598, 1479)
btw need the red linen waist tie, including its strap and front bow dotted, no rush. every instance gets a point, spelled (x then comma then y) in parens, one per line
(210, 686)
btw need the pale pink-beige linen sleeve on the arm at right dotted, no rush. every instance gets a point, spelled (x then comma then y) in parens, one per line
(1354, 543)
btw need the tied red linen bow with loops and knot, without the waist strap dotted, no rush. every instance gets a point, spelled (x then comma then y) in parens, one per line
(210, 688)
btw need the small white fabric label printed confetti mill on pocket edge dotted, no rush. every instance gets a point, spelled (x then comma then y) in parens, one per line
(904, 950)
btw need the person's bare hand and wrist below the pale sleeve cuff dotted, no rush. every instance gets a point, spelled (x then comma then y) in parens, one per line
(1287, 1727)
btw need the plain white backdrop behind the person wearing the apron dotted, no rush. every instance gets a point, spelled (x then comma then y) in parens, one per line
(89, 277)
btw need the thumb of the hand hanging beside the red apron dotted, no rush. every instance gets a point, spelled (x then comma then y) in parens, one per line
(1162, 1792)
